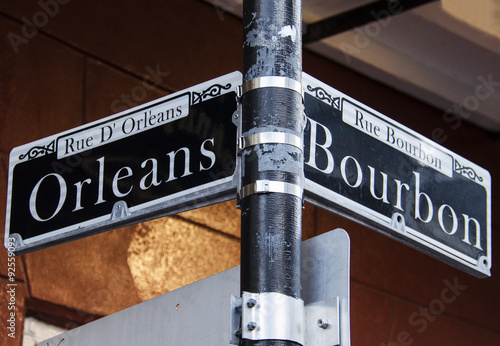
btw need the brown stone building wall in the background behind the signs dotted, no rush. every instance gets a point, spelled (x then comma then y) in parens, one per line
(89, 59)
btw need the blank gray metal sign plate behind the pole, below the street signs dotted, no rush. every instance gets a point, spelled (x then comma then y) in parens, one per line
(200, 313)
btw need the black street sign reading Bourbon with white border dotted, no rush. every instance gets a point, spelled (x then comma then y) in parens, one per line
(367, 167)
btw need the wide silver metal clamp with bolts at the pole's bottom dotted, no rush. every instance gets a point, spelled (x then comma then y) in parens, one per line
(262, 317)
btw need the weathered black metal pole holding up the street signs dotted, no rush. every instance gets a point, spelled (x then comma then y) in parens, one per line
(271, 220)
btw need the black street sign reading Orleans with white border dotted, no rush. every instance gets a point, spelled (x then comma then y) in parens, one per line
(166, 156)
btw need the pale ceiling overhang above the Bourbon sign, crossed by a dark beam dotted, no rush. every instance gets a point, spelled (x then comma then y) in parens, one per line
(429, 52)
